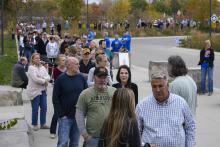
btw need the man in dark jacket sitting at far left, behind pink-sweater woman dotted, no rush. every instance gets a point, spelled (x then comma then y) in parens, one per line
(19, 77)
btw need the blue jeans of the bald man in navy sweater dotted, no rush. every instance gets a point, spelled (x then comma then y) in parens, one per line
(68, 132)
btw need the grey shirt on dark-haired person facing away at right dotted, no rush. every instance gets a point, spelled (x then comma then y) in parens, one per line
(185, 87)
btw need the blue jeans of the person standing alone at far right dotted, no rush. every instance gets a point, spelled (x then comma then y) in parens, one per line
(204, 72)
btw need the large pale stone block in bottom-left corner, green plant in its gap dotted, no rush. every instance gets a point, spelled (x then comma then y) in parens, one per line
(19, 135)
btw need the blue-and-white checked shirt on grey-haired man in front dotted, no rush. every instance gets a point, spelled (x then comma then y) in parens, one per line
(168, 124)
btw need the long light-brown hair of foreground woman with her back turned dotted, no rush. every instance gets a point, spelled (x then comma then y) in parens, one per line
(119, 121)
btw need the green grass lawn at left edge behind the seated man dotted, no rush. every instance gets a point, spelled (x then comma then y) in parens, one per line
(7, 60)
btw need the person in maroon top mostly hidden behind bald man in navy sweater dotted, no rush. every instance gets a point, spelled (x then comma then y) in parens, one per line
(57, 71)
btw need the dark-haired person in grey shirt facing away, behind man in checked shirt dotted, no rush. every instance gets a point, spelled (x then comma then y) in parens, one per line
(182, 85)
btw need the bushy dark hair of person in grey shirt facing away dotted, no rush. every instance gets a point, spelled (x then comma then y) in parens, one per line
(177, 66)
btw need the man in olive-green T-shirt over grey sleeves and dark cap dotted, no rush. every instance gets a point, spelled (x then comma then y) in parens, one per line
(93, 106)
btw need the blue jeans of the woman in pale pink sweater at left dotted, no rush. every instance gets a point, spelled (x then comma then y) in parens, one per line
(40, 100)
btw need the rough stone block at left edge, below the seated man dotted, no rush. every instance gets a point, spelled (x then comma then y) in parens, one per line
(10, 96)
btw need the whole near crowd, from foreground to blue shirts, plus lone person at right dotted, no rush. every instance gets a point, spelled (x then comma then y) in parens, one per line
(87, 102)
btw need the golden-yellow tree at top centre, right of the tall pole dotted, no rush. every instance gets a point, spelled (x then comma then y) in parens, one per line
(119, 11)
